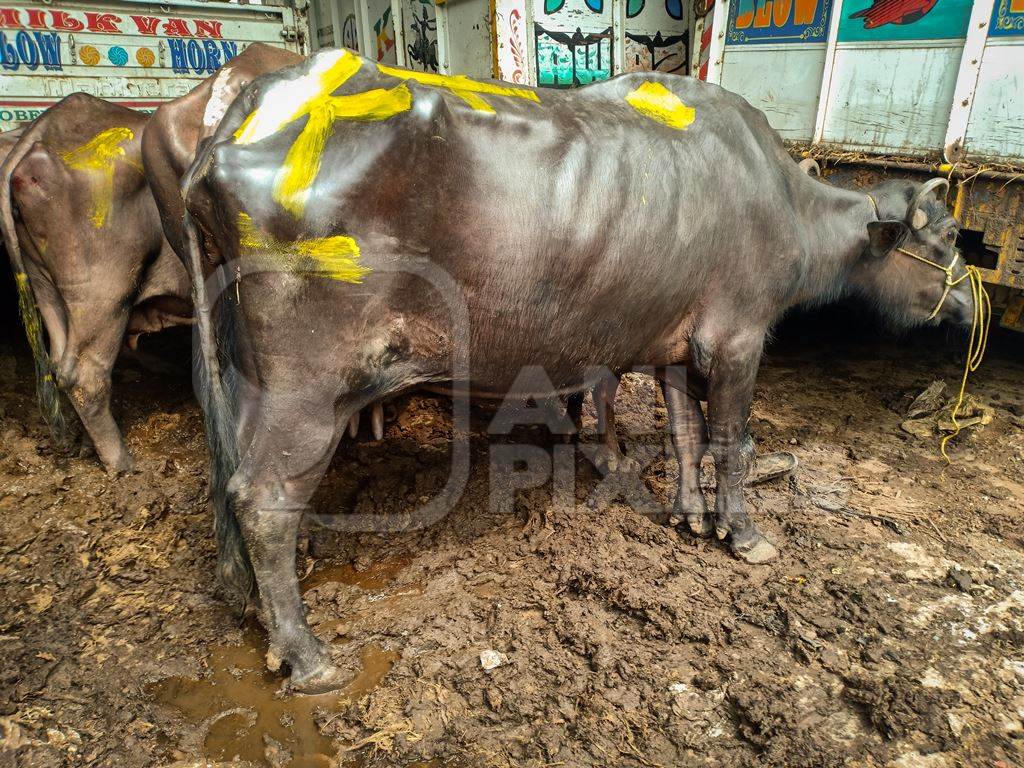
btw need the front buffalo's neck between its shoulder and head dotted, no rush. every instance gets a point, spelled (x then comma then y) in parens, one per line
(835, 226)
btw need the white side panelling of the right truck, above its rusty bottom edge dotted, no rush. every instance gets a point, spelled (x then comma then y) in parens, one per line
(882, 76)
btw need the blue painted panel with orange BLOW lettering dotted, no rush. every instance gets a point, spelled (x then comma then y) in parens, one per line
(753, 22)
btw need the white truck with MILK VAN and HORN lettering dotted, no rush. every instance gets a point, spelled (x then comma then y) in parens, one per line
(135, 54)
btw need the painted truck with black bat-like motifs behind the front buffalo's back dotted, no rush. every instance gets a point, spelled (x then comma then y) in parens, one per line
(557, 44)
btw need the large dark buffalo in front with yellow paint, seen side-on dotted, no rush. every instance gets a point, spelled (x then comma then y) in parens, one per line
(650, 220)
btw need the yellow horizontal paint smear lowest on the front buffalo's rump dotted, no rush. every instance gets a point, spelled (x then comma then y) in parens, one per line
(336, 258)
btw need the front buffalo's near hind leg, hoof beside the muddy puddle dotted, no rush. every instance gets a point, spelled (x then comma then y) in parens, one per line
(293, 441)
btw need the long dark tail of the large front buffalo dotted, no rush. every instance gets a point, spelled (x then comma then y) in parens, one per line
(216, 381)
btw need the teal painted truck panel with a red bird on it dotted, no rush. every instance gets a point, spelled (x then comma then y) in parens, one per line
(878, 21)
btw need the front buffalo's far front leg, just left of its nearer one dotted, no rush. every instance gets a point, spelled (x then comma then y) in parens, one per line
(690, 439)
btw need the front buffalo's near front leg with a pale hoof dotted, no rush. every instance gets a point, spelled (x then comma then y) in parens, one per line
(731, 390)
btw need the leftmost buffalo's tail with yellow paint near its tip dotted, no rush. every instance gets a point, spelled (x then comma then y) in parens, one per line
(47, 387)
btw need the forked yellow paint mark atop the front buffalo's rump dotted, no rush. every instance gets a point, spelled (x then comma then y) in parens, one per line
(314, 99)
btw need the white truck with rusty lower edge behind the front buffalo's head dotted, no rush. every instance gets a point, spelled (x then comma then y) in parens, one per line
(898, 88)
